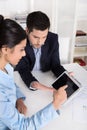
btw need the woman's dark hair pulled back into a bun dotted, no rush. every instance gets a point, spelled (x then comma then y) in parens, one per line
(11, 33)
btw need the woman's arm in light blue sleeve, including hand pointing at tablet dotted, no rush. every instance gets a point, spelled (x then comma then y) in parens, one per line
(14, 120)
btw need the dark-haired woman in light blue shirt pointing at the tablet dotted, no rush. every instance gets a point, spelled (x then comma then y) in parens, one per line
(12, 49)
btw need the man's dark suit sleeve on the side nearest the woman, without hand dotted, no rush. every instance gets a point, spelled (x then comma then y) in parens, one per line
(24, 70)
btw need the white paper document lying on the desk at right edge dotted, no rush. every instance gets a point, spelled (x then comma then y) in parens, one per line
(80, 107)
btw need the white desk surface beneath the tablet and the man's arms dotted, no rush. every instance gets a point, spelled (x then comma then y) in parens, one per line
(35, 100)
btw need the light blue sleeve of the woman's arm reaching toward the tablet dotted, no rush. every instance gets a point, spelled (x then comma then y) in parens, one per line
(14, 120)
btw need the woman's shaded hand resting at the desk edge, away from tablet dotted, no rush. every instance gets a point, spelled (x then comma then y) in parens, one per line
(21, 106)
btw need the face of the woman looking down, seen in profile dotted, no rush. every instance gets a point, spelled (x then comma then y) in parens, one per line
(14, 54)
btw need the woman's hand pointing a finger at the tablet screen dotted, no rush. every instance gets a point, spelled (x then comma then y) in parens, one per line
(59, 97)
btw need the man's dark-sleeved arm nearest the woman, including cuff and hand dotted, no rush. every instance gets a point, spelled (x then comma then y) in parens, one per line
(27, 77)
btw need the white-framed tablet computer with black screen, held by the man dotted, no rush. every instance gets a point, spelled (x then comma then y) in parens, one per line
(74, 87)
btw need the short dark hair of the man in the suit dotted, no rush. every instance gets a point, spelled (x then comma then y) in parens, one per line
(37, 20)
